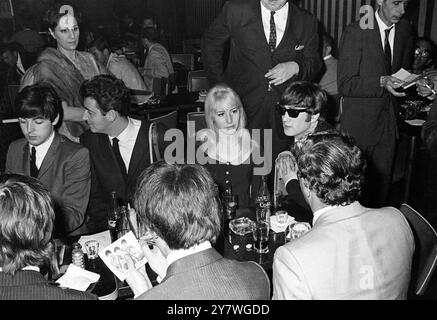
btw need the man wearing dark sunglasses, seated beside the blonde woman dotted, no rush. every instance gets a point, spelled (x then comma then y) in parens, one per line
(301, 109)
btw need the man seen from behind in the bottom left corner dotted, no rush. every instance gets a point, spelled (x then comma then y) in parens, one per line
(26, 229)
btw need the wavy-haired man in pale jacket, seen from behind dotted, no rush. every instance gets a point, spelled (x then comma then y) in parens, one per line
(352, 252)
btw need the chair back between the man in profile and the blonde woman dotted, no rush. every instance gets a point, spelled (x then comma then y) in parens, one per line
(157, 129)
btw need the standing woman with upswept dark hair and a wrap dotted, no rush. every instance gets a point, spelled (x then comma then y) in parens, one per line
(65, 68)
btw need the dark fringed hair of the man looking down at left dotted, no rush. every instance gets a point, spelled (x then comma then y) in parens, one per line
(39, 100)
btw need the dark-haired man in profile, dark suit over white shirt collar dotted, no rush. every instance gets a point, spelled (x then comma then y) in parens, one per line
(114, 166)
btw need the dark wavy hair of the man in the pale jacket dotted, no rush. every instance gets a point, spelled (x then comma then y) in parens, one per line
(332, 166)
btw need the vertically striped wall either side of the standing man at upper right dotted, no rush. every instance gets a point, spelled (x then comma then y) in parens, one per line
(335, 15)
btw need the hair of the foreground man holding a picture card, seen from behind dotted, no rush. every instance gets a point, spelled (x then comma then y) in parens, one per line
(180, 203)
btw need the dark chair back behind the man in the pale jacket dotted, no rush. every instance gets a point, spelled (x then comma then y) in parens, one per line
(425, 252)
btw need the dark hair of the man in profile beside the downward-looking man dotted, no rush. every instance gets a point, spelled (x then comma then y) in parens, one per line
(109, 92)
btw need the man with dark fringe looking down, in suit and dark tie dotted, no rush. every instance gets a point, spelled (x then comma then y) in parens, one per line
(60, 164)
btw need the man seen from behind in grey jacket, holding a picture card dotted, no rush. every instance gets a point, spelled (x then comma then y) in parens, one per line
(179, 204)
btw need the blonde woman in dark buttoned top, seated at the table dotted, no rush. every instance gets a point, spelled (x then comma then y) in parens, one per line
(227, 145)
